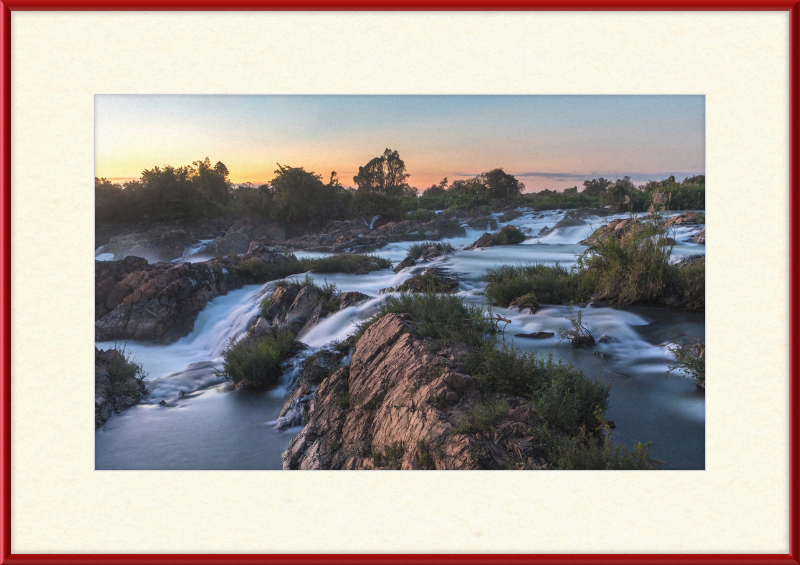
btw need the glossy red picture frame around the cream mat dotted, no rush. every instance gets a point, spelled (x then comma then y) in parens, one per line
(6, 557)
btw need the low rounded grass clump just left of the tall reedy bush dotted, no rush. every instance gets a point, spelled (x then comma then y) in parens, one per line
(549, 284)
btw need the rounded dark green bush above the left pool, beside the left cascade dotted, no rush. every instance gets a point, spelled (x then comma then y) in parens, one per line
(256, 363)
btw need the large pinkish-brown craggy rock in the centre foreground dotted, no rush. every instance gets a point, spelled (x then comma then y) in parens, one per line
(395, 407)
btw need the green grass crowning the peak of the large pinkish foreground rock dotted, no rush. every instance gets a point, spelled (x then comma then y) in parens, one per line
(438, 316)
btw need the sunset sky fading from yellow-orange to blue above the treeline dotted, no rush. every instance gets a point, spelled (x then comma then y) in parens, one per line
(550, 142)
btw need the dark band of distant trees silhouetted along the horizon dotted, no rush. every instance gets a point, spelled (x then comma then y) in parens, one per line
(296, 197)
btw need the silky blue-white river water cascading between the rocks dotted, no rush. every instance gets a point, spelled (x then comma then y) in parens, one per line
(212, 427)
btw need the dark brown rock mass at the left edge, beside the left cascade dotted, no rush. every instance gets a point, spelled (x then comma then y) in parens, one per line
(136, 300)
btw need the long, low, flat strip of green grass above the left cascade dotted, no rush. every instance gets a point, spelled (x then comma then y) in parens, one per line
(257, 271)
